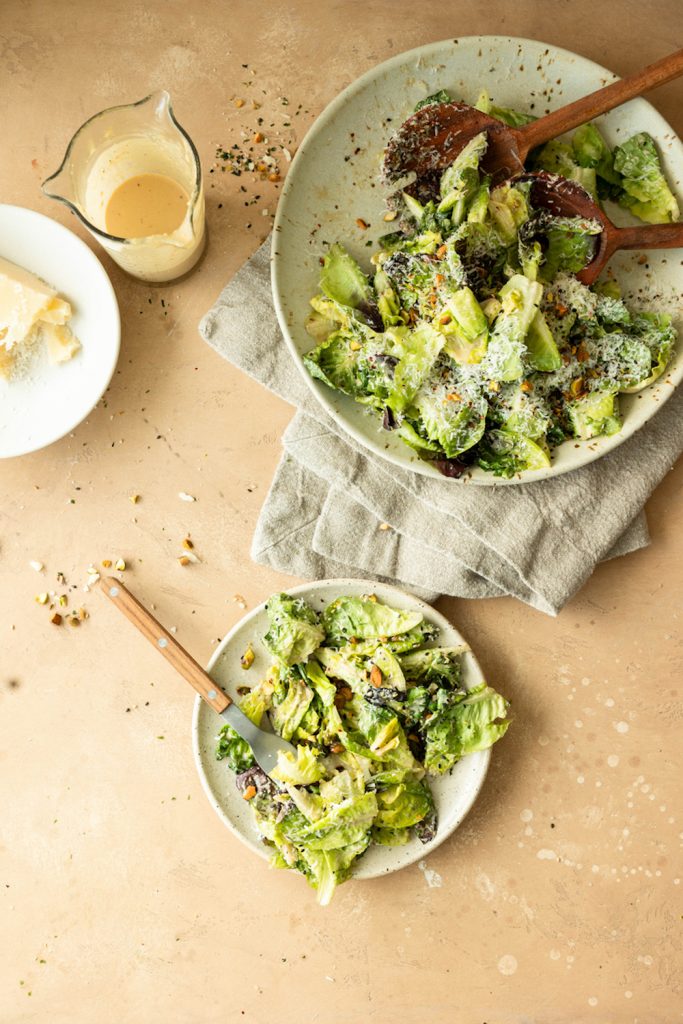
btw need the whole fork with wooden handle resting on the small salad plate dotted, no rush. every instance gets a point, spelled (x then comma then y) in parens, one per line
(266, 746)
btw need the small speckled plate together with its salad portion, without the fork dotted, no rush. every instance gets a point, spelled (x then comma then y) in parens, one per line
(391, 717)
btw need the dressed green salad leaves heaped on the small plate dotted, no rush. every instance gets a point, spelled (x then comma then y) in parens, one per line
(374, 708)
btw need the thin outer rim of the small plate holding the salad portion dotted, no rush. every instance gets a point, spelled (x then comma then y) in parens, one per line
(372, 585)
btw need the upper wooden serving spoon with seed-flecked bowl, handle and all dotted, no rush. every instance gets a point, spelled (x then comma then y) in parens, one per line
(432, 139)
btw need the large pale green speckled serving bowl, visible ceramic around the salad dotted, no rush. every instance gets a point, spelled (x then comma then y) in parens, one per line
(334, 181)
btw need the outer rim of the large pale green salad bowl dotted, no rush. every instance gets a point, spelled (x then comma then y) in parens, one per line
(422, 467)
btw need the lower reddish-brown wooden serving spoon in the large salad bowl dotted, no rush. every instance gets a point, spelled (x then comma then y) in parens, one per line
(568, 199)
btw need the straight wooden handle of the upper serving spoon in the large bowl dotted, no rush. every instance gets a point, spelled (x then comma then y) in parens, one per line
(606, 100)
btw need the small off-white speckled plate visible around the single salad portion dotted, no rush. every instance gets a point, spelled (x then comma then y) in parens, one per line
(454, 794)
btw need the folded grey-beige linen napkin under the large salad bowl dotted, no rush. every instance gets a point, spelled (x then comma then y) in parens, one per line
(334, 509)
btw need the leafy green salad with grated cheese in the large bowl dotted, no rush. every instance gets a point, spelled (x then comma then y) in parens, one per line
(473, 338)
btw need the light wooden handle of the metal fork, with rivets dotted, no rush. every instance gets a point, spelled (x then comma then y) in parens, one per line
(166, 644)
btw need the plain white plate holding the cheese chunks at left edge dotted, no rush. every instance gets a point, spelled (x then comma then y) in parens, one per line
(44, 402)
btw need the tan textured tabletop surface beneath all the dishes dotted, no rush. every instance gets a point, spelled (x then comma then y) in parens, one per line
(123, 897)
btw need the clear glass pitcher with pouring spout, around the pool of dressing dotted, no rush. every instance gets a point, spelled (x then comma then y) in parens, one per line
(118, 145)
